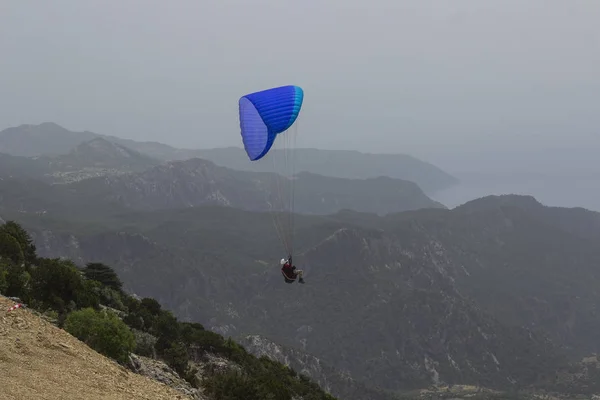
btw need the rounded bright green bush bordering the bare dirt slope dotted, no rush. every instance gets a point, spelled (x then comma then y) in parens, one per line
(103, 331)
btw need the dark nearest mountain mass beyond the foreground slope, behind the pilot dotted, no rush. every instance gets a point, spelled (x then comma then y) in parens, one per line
(415, 281)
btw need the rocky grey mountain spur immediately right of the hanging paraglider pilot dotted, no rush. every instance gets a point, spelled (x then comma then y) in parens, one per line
(414, 326)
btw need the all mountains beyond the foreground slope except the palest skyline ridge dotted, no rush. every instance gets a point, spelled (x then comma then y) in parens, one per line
(402, 294)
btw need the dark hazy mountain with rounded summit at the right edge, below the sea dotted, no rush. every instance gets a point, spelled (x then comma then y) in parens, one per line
(555, 266)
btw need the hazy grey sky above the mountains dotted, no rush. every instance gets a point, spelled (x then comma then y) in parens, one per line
(461, 83)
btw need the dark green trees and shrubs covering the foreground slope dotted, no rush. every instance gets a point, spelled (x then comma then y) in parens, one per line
(90, 304)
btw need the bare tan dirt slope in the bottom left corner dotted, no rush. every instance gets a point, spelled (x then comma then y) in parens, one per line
(40, 361)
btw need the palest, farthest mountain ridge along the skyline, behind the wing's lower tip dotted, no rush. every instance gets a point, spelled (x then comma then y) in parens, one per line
(50, 138)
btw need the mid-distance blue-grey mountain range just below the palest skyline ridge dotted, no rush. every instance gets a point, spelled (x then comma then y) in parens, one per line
(99, 174)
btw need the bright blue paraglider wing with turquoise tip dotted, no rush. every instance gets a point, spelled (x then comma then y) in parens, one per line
(265, 114)
